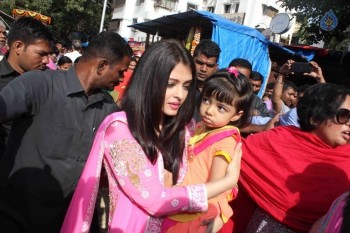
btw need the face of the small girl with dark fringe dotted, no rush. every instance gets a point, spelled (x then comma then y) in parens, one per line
(216, 114)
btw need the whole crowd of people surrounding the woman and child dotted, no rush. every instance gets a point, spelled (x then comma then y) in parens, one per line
(180, 145)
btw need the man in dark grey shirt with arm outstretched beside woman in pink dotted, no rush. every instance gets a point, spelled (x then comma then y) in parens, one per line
(56, 114)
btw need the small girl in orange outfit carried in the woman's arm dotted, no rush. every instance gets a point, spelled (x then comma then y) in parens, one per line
(225, 107)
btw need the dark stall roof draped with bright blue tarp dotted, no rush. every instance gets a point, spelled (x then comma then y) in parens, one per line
(235, 40)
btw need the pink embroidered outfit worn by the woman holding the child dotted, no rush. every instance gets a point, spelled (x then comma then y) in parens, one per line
(137, 195)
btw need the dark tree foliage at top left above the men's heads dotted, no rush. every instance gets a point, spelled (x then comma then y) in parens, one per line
(68, 16)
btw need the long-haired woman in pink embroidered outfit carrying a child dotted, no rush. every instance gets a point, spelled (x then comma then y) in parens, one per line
(142, 148)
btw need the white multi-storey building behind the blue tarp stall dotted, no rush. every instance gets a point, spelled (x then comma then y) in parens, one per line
(252, 13)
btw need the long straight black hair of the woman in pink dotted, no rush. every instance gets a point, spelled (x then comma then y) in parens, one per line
(143, 103)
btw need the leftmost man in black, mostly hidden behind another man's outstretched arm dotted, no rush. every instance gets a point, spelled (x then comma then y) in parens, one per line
(30, 44)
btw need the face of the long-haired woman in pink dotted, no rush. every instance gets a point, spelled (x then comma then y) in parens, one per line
(177, 90)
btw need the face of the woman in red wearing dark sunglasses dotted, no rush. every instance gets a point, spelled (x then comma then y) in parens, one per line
(333, 133)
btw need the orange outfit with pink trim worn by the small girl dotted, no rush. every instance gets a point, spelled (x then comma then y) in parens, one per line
(204, 145)
